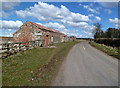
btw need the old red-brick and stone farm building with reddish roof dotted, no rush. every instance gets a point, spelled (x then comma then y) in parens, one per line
(30, 31)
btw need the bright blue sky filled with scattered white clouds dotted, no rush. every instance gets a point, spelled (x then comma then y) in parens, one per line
(71, 18)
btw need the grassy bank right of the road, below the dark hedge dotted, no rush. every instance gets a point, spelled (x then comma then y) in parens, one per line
(107, 49)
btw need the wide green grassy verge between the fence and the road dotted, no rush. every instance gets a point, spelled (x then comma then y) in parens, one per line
(36, 67)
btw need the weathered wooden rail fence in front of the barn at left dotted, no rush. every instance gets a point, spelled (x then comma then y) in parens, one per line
(8, 49)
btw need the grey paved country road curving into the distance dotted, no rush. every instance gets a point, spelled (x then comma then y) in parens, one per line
(87, 66)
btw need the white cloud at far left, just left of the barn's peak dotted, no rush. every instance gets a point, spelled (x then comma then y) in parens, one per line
(10, 24)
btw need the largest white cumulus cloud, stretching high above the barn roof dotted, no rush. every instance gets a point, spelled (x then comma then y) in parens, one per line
(45, 12)
